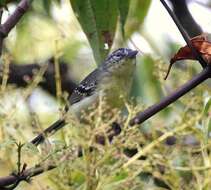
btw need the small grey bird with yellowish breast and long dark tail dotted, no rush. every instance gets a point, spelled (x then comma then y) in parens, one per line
(112, 80)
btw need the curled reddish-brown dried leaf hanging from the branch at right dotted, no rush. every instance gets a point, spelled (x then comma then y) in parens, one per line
(200, 43)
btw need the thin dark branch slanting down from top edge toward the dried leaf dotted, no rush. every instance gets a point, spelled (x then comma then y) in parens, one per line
(185, 35)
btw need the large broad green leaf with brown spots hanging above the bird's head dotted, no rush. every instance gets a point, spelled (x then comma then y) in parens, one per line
(98, 19)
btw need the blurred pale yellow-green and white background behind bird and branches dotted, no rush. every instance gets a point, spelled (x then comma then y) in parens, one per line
(51, 29)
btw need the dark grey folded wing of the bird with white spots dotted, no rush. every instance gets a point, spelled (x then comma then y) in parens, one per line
(86, 87)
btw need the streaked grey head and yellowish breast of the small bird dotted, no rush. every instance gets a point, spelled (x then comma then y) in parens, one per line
(116, 76)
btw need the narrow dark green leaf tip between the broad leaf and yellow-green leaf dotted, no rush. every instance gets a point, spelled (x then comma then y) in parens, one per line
(123, 11)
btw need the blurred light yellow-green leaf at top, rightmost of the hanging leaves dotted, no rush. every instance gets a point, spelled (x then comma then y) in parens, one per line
(137, 13)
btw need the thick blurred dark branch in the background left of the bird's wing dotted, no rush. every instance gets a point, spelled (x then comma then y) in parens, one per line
(20, 74)
